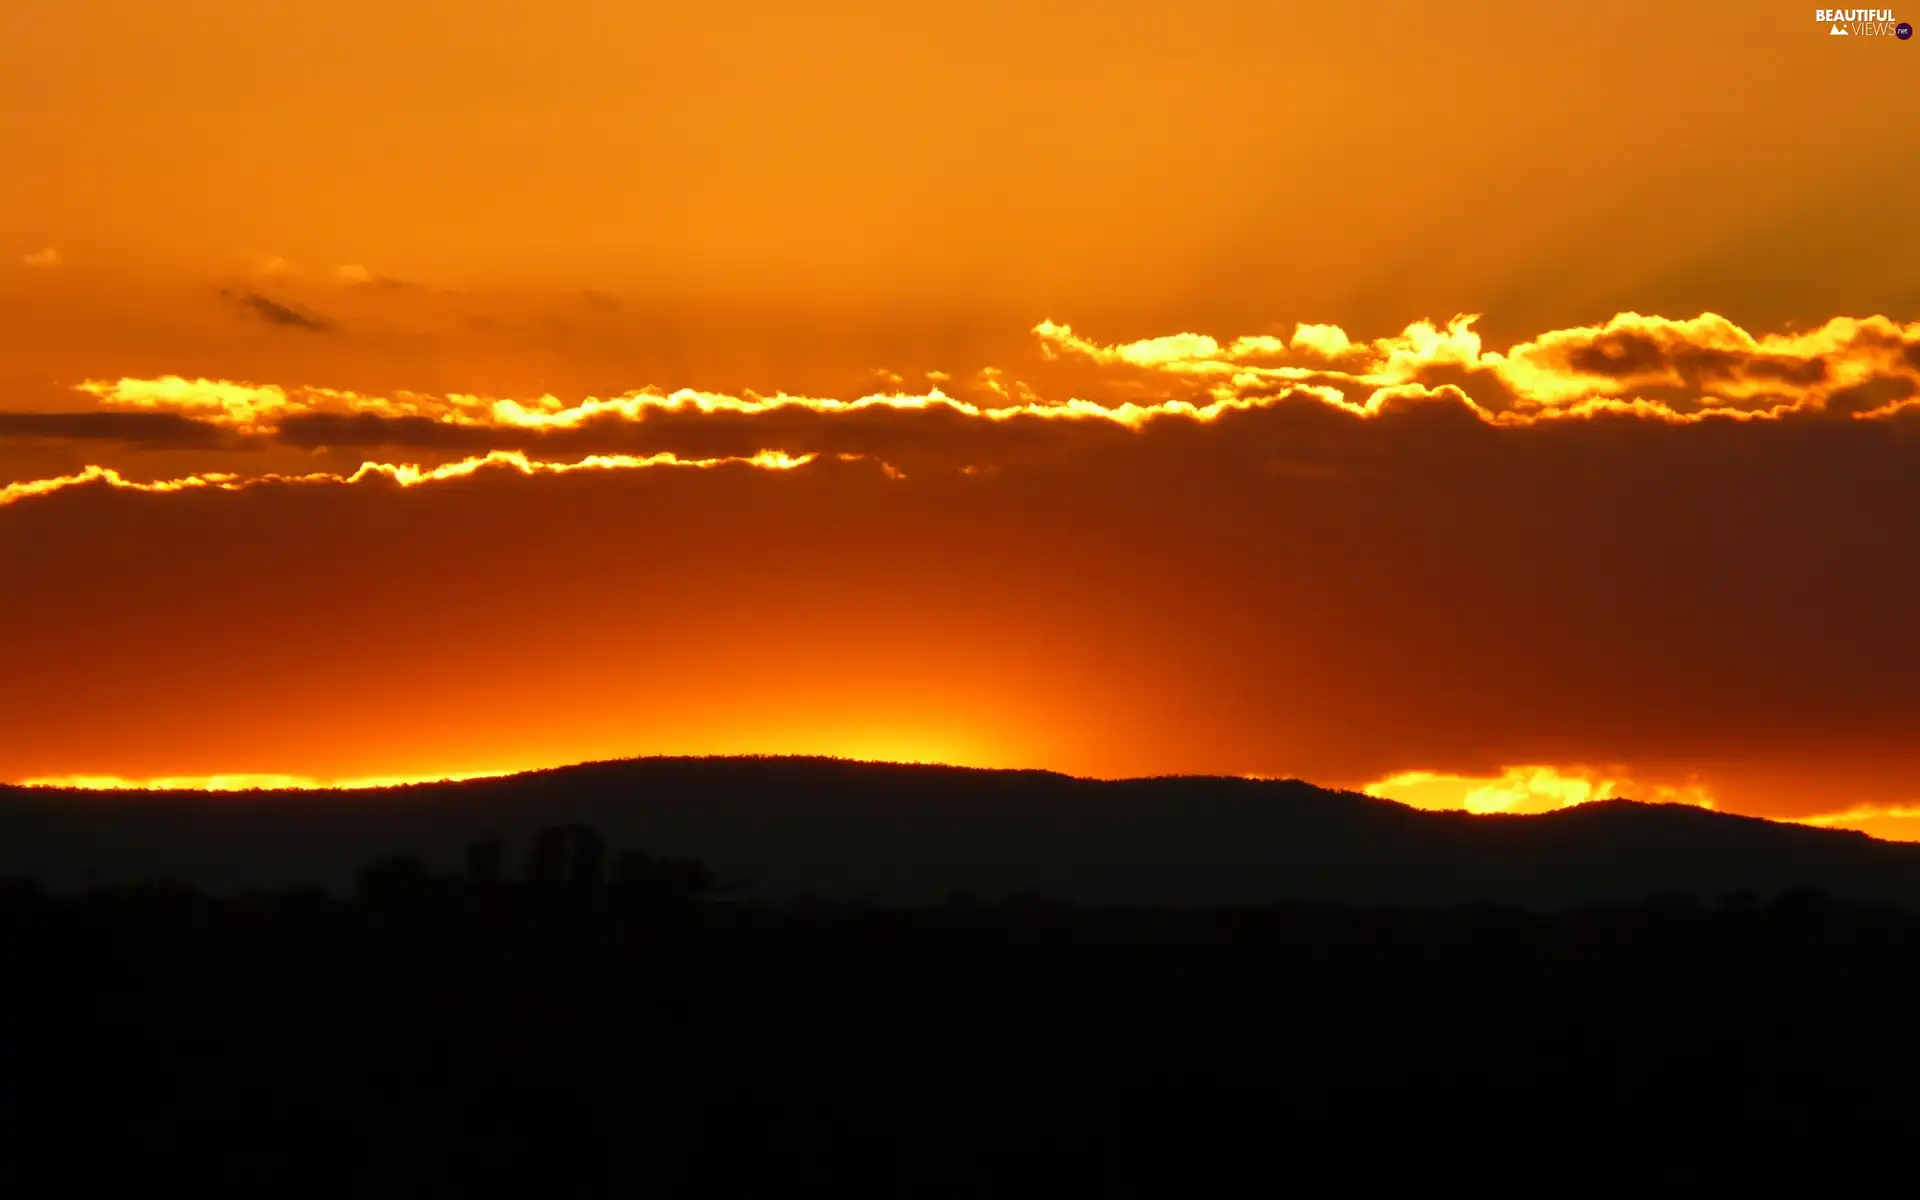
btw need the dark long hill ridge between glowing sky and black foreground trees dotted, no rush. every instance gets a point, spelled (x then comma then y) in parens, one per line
(913, 834)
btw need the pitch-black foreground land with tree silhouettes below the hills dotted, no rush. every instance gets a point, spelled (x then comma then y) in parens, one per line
(560, 1019)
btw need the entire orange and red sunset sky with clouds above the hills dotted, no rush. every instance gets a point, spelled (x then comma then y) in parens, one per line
(1489, 404)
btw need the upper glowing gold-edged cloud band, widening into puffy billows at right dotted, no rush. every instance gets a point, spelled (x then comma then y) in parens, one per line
(1650, 368)
